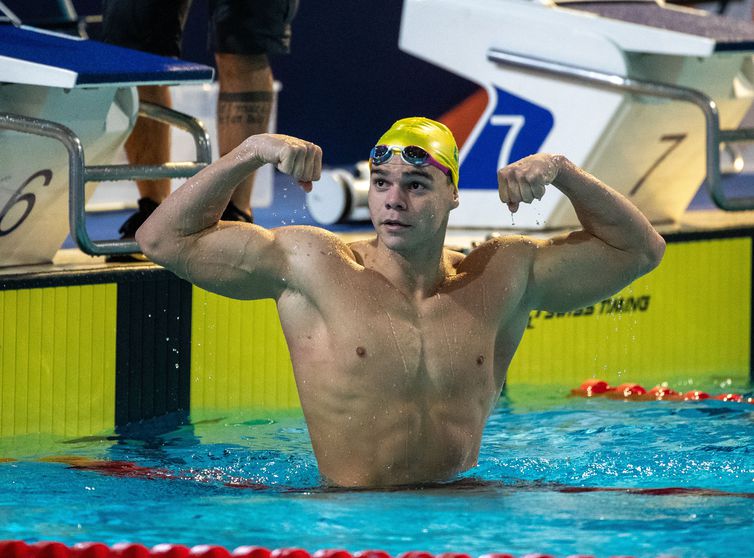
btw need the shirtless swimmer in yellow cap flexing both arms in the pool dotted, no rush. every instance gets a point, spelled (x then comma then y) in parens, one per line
(400, 347)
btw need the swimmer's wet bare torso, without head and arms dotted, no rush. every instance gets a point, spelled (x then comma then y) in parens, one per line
(394, 390)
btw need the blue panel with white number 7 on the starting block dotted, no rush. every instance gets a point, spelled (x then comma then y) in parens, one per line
(480, 164)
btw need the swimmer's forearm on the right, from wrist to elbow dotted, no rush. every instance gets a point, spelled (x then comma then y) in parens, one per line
(606, 214)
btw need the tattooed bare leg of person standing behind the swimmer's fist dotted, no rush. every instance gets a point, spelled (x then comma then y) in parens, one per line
(243, 108)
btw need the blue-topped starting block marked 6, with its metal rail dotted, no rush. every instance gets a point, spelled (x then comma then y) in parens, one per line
(63, 98)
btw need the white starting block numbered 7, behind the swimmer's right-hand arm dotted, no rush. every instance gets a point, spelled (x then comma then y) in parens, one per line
(640, 94)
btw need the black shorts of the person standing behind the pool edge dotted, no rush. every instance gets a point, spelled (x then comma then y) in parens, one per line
(237, 26)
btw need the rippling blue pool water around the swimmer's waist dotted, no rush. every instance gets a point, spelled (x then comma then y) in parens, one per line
(560, 475)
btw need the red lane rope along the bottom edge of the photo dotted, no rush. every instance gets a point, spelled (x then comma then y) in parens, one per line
(51, 549)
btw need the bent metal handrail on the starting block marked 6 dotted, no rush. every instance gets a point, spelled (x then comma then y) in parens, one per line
(79, 174)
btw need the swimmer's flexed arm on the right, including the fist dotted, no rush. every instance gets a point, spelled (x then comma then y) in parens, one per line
(615, 246)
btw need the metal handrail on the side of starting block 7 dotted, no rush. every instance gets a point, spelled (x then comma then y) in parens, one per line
(714, 135)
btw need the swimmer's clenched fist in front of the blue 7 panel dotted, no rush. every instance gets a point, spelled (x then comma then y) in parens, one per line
(525, 180)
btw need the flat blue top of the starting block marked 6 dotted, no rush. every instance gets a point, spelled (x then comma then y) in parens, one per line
(96, 62)
